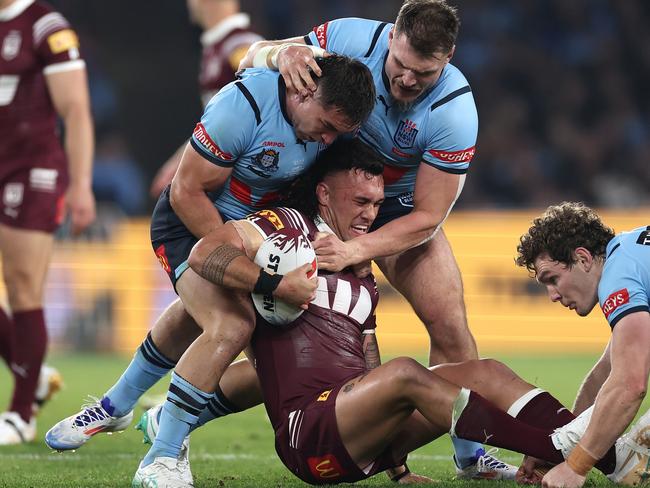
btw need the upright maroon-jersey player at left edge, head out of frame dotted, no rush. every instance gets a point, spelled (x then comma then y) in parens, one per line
(42, 75)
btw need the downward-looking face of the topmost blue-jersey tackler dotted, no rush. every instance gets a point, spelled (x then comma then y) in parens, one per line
(409, 73)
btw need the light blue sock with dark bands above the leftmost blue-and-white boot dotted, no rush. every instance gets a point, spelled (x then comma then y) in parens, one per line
(146, 368)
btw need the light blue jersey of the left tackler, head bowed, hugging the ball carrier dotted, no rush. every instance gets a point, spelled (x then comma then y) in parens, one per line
(246, 127)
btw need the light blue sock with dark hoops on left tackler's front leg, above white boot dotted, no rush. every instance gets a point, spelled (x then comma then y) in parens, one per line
(181, 410)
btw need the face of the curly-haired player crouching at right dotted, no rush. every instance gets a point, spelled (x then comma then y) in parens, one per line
(572, 286)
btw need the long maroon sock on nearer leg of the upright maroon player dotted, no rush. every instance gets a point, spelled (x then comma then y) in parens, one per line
(28, 354)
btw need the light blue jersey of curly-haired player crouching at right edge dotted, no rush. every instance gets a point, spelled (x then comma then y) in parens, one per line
(624, 286)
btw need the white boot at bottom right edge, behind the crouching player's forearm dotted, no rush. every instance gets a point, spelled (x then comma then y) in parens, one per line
(633, 454)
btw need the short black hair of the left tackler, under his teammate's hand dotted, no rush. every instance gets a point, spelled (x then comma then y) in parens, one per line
(346, 84)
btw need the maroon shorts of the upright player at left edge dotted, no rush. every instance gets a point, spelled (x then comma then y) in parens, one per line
(32, 196)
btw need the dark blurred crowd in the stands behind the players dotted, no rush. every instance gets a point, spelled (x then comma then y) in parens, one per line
(560, 88)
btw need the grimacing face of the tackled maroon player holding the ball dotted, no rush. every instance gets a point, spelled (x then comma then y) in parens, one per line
(350, 201)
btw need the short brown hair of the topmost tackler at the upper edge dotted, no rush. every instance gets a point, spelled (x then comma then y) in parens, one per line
(431, 26)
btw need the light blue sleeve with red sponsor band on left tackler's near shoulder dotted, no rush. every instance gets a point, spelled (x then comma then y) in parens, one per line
(226, 127)
